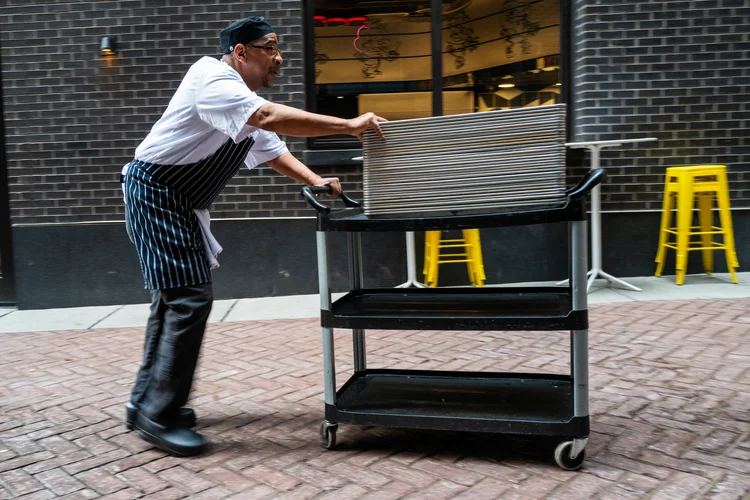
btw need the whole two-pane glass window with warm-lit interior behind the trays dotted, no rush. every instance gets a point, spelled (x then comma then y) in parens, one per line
(376, 55)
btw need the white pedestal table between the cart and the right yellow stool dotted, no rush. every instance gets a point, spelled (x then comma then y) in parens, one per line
(595, 148)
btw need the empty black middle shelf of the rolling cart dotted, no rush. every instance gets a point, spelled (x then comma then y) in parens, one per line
(511, 308)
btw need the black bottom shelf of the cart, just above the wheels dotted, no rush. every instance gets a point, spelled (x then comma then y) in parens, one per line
(460, 401)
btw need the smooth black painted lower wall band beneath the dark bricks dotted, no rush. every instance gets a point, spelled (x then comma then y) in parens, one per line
(95, 264)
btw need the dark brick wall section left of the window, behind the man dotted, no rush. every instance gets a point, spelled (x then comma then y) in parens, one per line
(73, 117)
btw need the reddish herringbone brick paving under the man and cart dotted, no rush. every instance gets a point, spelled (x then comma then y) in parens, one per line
(670, 397)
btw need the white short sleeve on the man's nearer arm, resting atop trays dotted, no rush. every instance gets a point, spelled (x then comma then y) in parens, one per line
(225, 103)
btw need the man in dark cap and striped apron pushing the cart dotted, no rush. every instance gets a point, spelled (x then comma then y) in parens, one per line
(214, 123)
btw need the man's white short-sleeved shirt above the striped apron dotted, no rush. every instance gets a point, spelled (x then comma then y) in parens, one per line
(211, 104)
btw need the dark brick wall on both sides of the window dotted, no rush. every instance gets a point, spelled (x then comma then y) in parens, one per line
(675, 70)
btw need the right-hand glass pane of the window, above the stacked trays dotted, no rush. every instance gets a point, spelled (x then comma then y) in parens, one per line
(500, 54)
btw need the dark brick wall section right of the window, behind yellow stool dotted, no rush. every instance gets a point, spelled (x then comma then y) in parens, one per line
(675, 70)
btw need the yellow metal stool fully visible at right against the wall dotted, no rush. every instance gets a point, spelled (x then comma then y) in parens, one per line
(704, 182)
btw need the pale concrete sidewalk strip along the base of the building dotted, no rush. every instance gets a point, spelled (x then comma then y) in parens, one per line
(718, 286)
